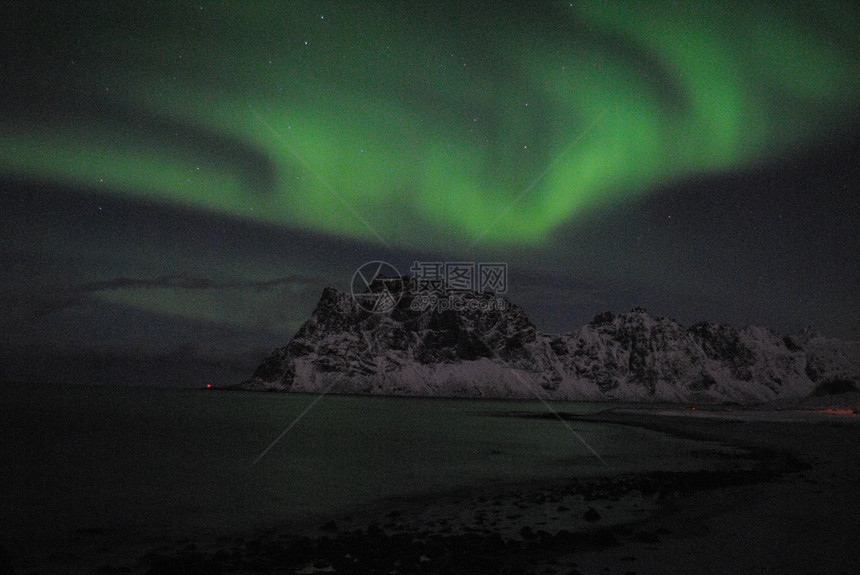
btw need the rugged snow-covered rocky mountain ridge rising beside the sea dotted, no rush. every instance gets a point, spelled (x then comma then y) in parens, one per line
(483, 346)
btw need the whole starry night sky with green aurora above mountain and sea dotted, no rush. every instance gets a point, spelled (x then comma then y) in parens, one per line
(179, 181)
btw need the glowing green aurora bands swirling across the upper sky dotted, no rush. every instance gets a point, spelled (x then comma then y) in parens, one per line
(497, 122)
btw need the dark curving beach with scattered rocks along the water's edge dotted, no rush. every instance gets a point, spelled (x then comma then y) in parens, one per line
(786, 502)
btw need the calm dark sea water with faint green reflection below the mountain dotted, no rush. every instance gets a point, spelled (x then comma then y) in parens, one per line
(149, 462)
